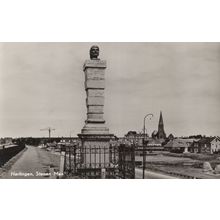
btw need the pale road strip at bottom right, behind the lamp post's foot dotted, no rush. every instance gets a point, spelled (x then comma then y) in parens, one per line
(151, 175)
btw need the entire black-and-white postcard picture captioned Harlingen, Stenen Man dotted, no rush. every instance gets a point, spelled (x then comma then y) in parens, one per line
(110, 110)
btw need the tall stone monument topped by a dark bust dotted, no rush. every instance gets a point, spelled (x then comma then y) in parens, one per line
(95, 135)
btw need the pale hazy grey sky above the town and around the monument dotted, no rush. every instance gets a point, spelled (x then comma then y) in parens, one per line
(42, 85)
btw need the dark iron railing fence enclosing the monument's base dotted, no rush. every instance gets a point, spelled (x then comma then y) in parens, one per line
(99, 162)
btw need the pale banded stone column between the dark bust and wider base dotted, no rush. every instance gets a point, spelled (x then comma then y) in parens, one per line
(94, 85)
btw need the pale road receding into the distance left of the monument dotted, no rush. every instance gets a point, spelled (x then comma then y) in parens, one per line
(34, 163)
